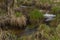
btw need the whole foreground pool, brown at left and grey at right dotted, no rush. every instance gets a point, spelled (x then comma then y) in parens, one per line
(20, 32)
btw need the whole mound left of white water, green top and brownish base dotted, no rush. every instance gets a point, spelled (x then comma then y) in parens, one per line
(35, 16)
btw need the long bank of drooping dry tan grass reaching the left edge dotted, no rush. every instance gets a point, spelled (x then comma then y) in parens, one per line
(13, 21)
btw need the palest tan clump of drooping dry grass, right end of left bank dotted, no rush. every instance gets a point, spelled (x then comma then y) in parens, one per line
(21, 21)
